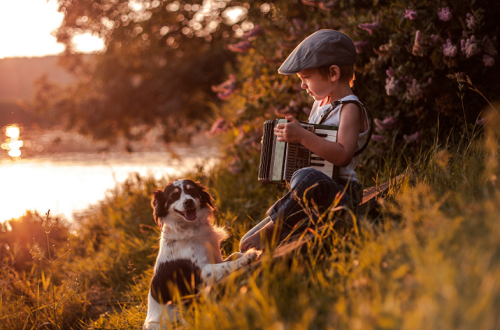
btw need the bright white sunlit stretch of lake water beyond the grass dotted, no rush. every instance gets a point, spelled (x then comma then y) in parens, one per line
(68, 183)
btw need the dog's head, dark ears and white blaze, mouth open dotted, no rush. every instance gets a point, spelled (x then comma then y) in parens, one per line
(181, 200)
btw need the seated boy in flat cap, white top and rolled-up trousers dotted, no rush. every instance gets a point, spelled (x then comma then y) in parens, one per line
(324, 62)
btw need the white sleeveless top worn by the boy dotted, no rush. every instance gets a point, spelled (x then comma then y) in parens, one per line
(348, 172)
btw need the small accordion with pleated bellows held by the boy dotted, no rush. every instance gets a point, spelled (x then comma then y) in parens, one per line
(279, 160)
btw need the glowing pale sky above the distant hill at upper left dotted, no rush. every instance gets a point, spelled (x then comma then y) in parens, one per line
(26, 26)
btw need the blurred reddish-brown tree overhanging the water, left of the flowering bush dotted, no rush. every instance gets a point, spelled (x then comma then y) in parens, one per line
(160, 60)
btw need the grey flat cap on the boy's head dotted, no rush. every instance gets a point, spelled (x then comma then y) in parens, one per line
(324, 47)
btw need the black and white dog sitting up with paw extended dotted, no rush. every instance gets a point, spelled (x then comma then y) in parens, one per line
(189, 248)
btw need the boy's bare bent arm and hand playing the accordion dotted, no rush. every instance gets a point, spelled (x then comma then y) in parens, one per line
(339, 153)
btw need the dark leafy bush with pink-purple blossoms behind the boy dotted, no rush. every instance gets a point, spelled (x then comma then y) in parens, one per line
(403, 70)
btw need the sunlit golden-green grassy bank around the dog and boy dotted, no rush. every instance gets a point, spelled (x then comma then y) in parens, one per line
(429, 260)
